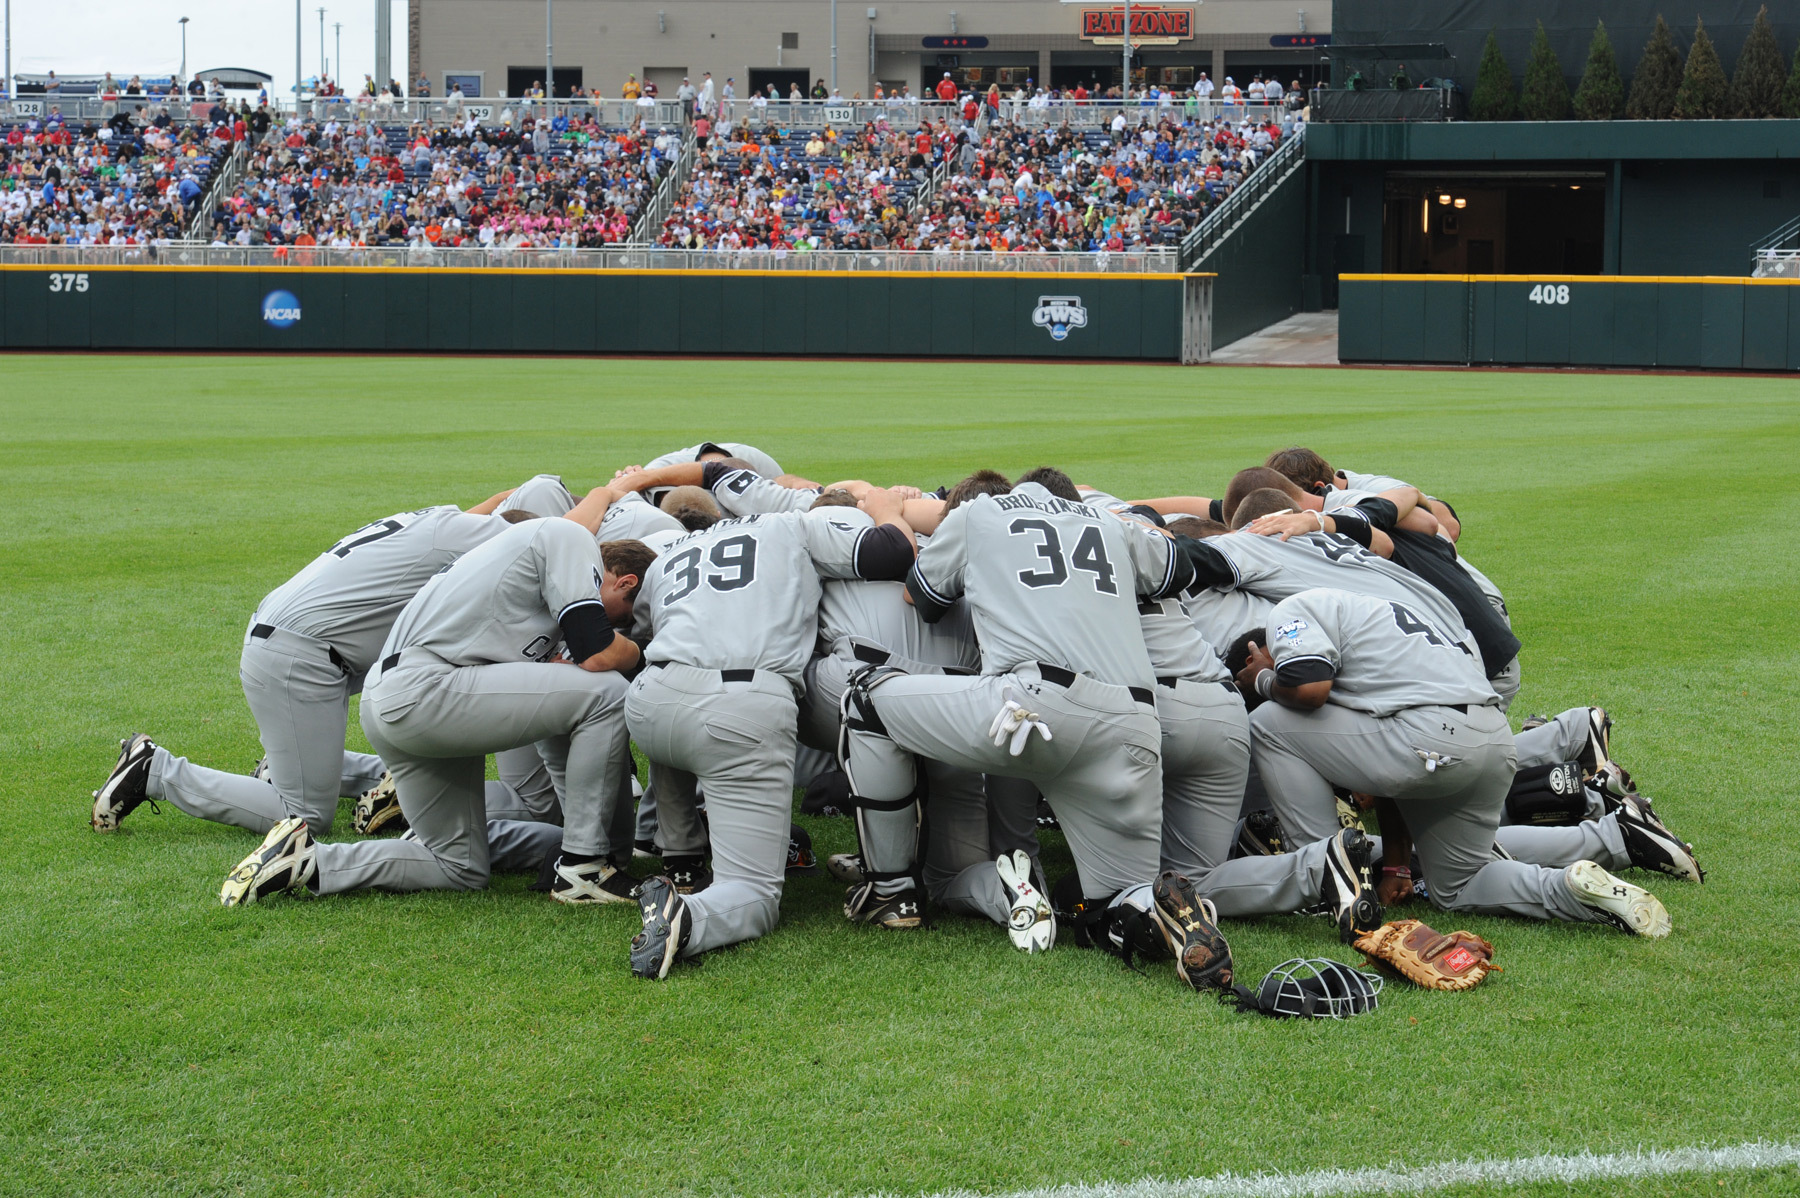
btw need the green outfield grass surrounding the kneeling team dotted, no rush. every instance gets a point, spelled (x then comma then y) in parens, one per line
(1646, 535)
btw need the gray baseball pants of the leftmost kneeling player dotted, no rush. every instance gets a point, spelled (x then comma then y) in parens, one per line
(301, 706)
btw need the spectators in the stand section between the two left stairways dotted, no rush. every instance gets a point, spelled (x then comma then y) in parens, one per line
(562, 183)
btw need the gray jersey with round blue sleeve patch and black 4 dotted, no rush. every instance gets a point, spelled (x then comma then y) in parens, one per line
(1380, 656)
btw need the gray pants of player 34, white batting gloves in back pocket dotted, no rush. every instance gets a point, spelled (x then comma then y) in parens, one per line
(1101, 773)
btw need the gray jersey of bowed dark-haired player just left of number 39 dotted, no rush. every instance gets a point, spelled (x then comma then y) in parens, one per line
(503, 602)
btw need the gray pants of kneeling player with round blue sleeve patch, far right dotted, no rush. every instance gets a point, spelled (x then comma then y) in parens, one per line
(1452, 810)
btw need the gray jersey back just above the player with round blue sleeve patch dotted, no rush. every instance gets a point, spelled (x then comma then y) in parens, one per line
(1277, 569)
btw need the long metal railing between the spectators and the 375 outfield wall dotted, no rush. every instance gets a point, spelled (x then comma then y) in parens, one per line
(615, 258)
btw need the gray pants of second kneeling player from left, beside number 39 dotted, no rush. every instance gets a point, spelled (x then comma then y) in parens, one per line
(436, 724)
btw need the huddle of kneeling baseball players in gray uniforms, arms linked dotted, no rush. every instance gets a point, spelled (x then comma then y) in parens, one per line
(1205, 695)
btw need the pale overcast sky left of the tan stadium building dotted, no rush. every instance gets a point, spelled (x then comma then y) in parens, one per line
(145, 37)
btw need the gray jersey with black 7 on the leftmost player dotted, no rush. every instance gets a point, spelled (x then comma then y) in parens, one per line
(352, 595)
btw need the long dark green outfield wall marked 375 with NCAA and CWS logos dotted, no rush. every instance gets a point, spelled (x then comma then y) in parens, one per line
(336, 310)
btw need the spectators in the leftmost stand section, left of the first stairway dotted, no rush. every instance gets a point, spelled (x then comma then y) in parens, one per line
(132, 181)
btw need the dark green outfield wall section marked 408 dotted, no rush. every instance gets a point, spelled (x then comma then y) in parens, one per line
(1585, 321)
